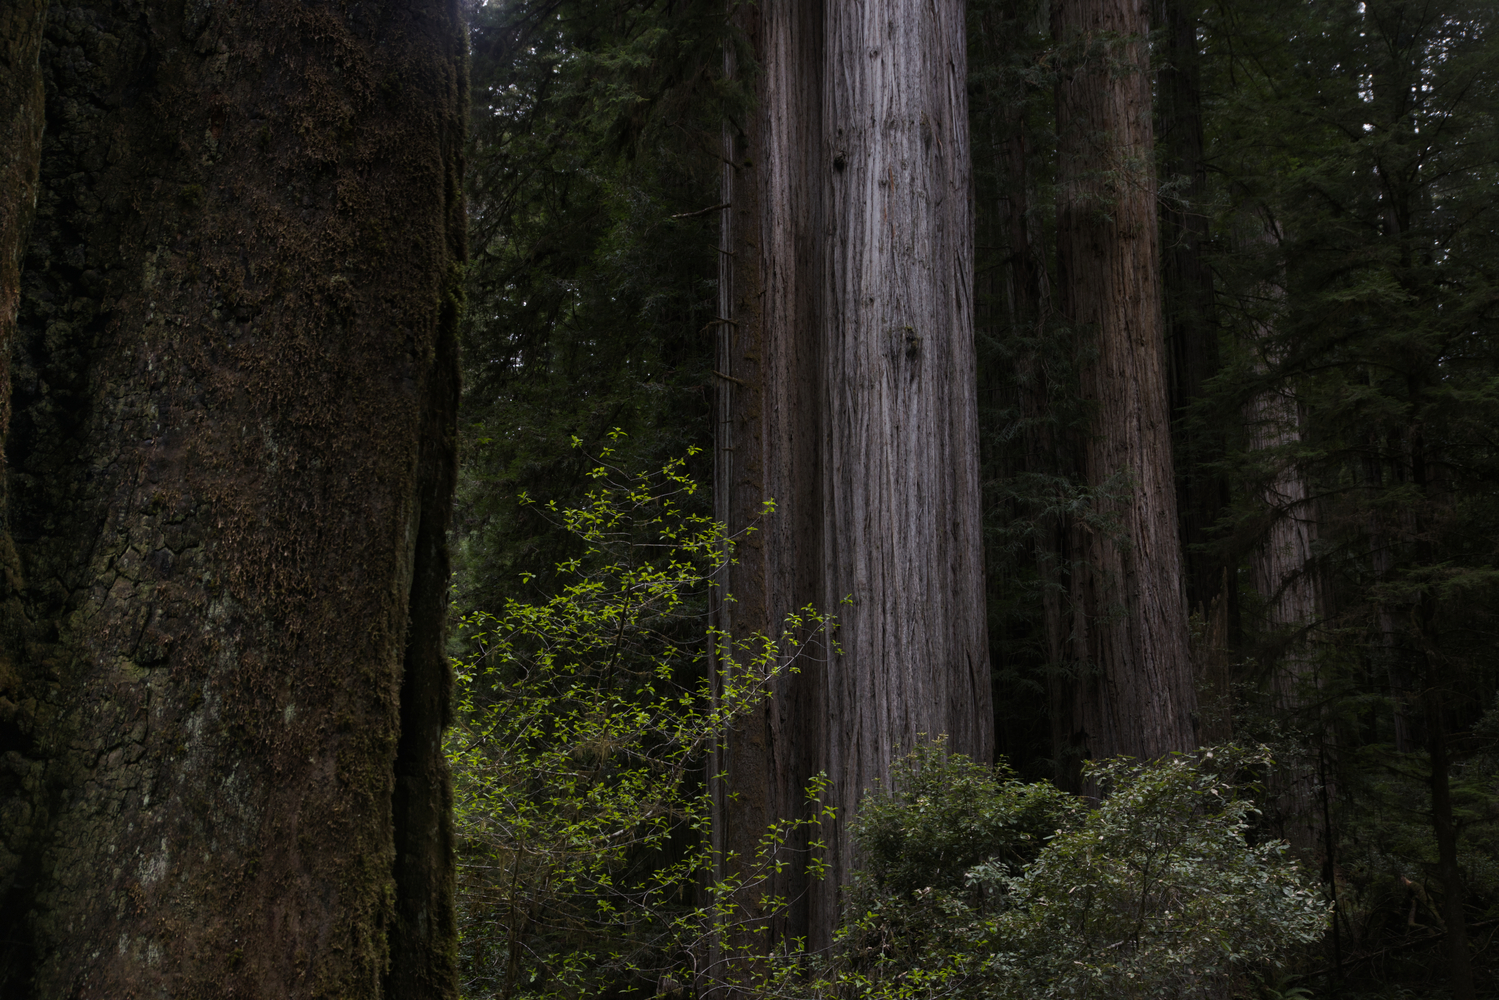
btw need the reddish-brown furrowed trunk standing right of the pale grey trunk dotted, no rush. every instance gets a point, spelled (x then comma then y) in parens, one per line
(1137, 695)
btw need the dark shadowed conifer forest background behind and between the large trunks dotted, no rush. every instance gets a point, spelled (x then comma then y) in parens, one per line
(1327, 254)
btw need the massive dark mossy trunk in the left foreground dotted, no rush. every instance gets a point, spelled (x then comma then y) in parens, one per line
(233, 383)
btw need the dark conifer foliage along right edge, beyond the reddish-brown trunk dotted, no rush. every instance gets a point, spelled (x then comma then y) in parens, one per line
(1357, 260)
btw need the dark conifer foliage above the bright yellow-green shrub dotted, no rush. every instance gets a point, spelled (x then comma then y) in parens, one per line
(594, 155)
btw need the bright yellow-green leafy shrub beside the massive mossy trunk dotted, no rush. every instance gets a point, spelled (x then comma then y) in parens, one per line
(579, 747)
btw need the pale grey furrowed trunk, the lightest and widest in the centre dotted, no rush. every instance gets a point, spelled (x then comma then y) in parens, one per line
(902, 488)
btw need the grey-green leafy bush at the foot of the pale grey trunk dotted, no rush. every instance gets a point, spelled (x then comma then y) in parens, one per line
(978, 885)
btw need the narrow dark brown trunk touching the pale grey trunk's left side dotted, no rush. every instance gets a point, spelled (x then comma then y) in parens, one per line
(770, 448)
